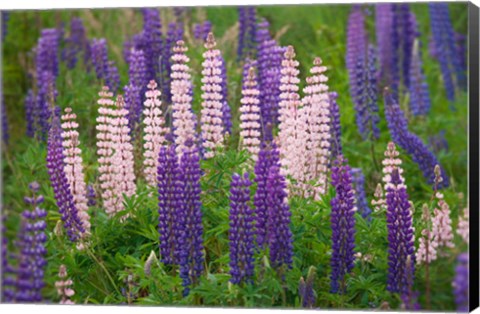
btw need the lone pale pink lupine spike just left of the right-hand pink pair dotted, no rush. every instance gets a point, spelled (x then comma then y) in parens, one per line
(250, 114)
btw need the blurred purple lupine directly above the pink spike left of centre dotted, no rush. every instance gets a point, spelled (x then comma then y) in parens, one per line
(152, 41)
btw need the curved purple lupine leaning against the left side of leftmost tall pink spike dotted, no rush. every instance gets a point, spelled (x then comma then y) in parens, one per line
(59, 181)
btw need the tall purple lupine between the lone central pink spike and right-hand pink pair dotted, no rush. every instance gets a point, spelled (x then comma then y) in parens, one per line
(270, 56)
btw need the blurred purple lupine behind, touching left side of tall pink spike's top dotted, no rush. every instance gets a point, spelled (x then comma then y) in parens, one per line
(174, 34)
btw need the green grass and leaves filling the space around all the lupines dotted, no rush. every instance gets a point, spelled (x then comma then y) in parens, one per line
(111, 269)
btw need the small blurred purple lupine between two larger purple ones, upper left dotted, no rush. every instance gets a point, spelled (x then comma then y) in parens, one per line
(75, 43)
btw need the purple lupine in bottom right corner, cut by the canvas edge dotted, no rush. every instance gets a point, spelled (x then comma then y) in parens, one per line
(460, 283)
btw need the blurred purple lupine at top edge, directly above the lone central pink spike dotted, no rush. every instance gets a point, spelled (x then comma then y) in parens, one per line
(247, 29)
